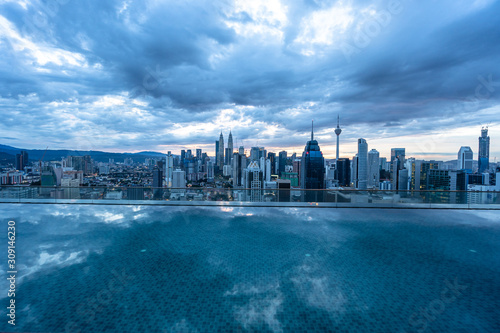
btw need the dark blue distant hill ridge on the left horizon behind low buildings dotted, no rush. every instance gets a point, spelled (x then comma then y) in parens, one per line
(8, 153)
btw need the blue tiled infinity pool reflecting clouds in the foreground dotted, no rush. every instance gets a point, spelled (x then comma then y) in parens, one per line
(85, 268)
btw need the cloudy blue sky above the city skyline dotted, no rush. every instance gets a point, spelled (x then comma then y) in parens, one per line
(150, 75)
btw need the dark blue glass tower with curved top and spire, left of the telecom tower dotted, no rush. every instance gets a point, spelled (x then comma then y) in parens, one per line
(312, 170)
